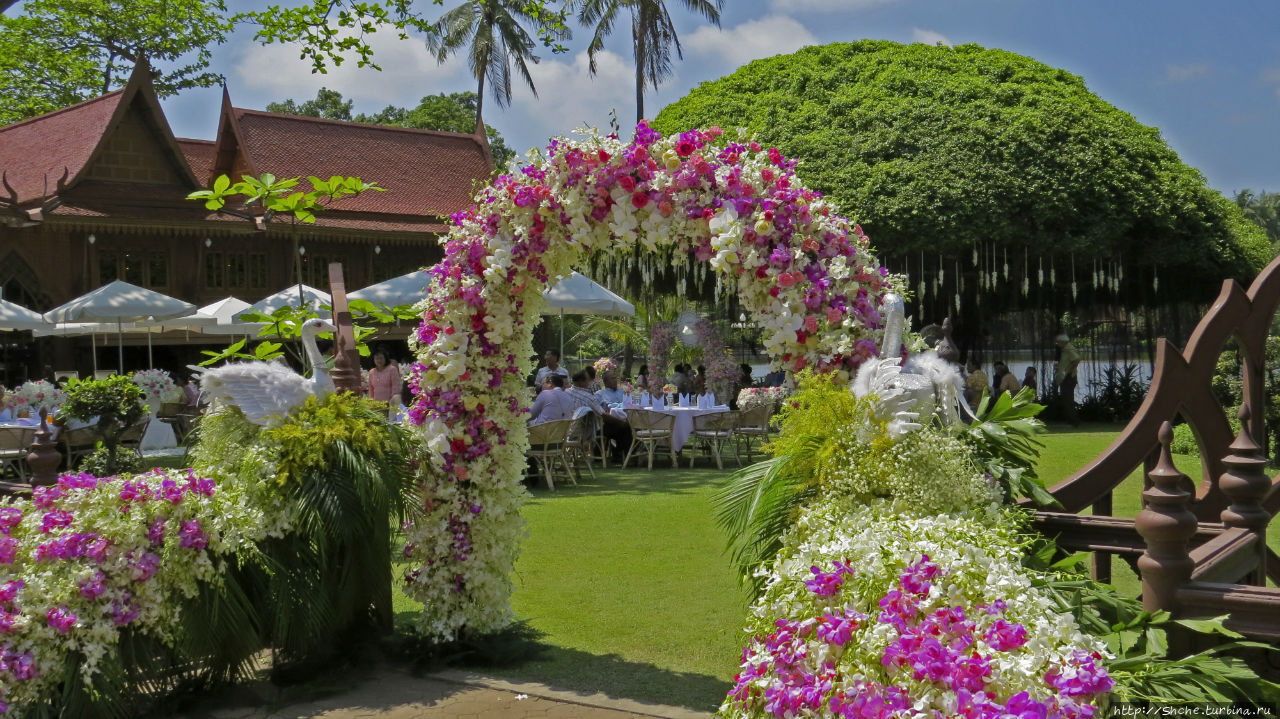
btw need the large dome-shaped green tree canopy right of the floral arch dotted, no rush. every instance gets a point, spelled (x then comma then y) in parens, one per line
(940, 150)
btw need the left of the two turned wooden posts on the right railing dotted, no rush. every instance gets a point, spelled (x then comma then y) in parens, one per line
(1168, 525)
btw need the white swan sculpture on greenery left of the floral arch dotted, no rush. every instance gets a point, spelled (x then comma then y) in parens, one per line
(267, 392)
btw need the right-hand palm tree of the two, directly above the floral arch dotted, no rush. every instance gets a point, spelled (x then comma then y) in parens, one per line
(653, 35)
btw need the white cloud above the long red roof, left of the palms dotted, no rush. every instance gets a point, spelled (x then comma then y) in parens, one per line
(409, 74)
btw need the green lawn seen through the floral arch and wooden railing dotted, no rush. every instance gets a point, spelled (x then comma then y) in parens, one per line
(625, 584)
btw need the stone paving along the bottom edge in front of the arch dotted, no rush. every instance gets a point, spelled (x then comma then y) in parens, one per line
(394, 694)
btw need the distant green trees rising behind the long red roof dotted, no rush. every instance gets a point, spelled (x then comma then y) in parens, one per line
(449, 113)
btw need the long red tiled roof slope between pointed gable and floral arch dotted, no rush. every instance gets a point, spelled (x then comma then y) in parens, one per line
(424, 172)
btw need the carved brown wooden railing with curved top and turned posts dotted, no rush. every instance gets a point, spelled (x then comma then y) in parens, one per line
(1200, 549)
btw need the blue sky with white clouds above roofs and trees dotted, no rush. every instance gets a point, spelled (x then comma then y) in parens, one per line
(1205, 74)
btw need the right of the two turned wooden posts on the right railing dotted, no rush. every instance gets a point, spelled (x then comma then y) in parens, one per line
(1245, 483)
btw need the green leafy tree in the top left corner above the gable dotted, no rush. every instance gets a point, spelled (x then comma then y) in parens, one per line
(58, 53)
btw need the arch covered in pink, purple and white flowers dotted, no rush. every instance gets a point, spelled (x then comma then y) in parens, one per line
(806, 274)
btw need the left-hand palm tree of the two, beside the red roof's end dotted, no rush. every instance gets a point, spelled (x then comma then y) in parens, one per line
(496, 43)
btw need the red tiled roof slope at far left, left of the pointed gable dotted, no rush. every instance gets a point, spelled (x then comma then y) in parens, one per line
(43, 148)
